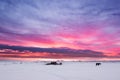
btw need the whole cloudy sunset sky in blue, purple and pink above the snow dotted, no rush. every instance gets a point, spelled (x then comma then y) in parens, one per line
(60, 28)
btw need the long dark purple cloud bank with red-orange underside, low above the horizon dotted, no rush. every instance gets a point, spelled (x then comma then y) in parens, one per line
(18, 51)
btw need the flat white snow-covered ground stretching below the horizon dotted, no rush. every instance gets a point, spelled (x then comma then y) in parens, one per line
(67, 71)
